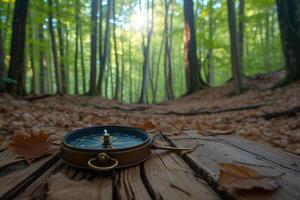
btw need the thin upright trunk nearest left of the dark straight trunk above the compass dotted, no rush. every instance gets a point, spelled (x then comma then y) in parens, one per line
(76, 46)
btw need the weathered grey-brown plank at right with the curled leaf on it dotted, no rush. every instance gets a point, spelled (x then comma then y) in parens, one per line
(232, 149)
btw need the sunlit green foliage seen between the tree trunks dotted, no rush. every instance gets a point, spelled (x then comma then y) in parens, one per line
(262, 52)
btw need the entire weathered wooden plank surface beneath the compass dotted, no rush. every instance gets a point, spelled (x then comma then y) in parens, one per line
(165, 175)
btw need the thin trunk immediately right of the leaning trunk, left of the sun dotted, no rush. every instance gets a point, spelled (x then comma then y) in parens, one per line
(116, 52)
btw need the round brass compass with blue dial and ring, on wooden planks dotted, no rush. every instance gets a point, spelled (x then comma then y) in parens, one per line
(104, 148)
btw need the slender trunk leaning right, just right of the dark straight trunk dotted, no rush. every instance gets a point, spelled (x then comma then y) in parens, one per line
(105, 54)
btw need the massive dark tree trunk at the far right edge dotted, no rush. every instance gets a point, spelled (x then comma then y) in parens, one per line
(289, 21)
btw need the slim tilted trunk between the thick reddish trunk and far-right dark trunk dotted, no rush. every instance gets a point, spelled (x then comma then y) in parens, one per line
(235, 59)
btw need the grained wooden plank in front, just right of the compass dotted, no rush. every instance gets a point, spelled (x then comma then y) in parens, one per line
(169, 177)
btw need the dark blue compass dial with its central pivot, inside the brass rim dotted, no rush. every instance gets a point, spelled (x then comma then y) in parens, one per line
(93, 138)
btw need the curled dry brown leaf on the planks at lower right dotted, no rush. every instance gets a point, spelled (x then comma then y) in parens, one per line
(233, 176)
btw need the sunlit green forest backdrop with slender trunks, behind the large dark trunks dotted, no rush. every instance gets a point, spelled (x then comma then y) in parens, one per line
(107, 48)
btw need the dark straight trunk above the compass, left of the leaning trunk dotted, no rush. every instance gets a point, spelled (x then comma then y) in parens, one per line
(93, 73)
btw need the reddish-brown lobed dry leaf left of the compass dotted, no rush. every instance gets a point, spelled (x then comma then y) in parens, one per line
(32, 146)
